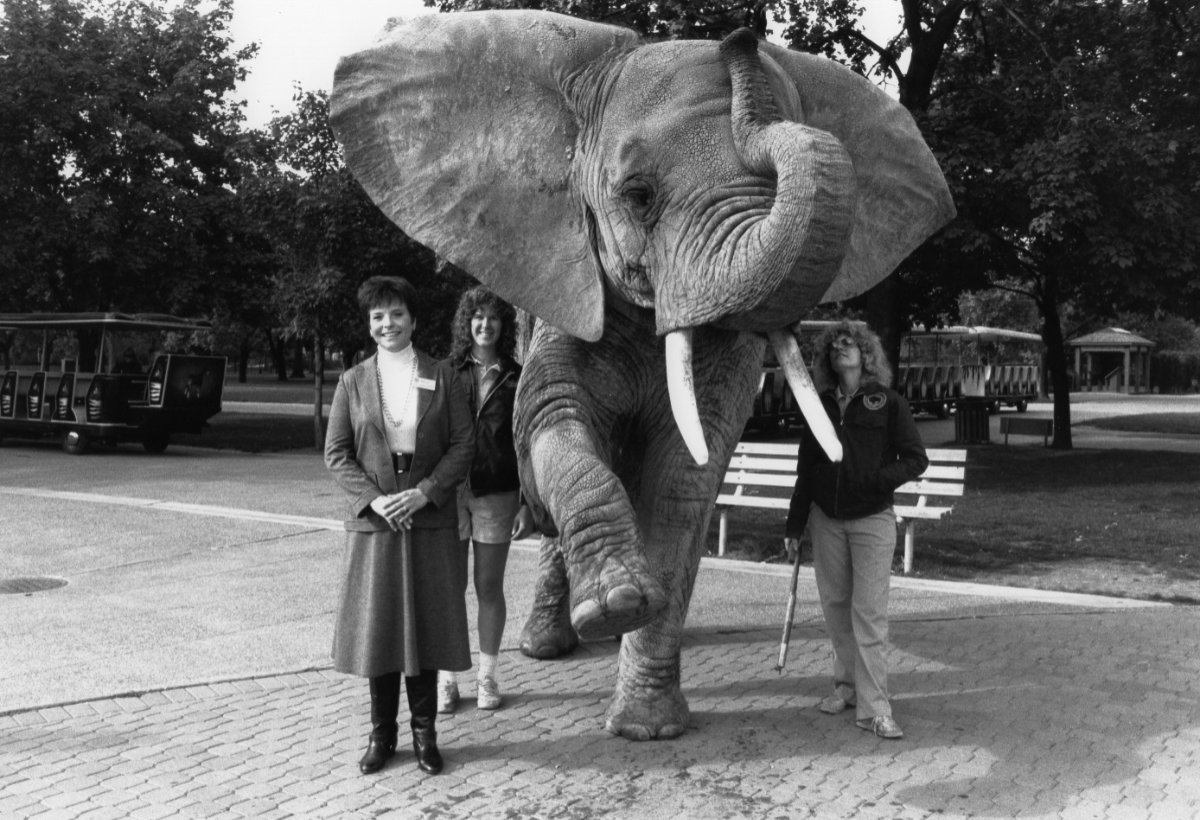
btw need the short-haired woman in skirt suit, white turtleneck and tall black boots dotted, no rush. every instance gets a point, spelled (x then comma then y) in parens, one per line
(400, 441)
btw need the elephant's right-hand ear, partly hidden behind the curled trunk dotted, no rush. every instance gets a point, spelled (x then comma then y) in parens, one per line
(903, 197)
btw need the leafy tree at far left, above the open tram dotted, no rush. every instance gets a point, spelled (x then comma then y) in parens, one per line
(118, 151)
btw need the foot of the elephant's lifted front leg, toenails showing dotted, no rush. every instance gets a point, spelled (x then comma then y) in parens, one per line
(617, 597)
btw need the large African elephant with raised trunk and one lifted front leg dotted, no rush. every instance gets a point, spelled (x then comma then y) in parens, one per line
(663, 211)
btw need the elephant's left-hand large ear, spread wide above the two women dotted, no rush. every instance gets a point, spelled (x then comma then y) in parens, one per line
(458, 128)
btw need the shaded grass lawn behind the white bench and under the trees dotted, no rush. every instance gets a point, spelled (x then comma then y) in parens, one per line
(1121, 523)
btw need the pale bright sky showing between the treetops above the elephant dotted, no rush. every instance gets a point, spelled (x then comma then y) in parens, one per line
(302, 40)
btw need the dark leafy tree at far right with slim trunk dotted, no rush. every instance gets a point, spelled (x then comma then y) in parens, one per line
(1073, 149)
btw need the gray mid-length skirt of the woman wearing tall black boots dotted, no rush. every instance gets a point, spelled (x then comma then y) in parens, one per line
(403, 606)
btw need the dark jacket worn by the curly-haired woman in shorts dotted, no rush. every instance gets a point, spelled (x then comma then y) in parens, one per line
(495, 469)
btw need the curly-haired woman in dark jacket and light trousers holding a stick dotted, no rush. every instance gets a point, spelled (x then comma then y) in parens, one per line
(848, 511)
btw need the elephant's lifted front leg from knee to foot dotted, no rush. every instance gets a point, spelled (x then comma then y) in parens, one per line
(613, 590)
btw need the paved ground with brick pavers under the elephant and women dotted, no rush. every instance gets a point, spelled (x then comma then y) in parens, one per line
(183, 673)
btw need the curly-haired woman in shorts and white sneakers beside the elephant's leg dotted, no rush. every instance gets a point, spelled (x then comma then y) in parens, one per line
(490, 510)
